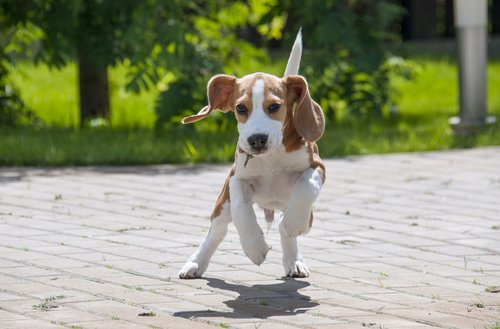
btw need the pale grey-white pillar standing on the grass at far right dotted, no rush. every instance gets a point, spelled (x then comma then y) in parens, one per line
(471, 21)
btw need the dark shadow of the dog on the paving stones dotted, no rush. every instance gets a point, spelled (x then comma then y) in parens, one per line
(259, 301)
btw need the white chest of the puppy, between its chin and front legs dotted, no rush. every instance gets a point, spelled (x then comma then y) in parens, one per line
(272, 177)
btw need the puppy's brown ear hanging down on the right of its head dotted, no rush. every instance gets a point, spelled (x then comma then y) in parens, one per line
(308, 117)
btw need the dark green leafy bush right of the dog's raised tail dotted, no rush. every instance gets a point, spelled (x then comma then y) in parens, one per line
(349, 63)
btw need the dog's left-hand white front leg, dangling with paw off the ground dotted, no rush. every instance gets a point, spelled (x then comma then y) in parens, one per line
(245, 221)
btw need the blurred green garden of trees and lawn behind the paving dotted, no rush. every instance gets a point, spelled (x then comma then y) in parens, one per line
(95, 82)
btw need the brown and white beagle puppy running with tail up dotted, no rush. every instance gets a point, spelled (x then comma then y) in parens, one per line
(276, 166)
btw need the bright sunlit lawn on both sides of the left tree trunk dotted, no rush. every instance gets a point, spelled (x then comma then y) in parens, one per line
(53, 95)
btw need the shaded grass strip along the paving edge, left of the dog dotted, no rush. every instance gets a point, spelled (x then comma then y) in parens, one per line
(59, 147)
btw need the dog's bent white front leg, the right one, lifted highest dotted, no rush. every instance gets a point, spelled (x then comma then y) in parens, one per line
(297, 215)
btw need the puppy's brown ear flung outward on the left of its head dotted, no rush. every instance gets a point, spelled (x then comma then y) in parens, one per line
(220, 93)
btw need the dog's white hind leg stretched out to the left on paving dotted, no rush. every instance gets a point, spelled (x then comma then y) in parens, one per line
(198, 262)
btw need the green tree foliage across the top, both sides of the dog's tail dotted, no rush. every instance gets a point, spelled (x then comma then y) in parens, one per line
(175, 46)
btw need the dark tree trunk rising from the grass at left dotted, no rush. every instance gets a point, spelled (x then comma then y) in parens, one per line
(94, 91)
